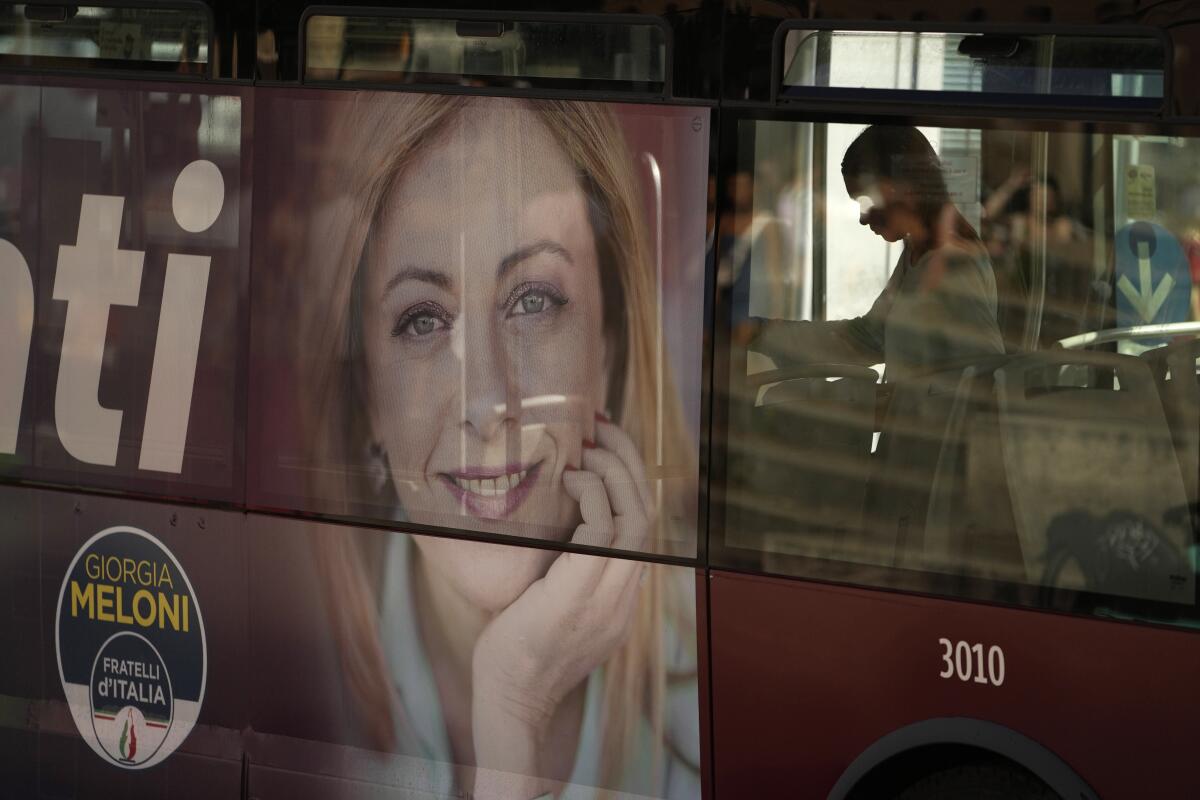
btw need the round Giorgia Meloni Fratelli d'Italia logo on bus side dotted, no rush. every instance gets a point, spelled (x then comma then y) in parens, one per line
(131, 648)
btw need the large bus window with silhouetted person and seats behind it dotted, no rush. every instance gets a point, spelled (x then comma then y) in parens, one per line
(1022, 424)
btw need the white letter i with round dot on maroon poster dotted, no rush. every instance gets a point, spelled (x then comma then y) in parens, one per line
(196, 204)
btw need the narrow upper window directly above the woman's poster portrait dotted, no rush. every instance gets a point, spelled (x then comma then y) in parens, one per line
(629, 56)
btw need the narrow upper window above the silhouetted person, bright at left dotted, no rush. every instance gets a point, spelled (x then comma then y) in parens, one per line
(1071, 69)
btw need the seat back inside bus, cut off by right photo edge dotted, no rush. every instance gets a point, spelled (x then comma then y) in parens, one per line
(1175, 374)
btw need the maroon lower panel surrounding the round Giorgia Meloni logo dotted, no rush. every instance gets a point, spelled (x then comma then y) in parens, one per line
(43, 751)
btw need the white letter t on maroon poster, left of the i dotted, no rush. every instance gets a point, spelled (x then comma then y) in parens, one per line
(93, 275)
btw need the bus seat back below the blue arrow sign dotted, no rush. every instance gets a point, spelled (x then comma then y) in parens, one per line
(1071, 423)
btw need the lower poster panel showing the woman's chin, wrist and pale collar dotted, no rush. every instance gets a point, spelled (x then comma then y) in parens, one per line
(395, 665)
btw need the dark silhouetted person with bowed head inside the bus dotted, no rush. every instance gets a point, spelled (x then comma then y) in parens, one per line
(939, 308)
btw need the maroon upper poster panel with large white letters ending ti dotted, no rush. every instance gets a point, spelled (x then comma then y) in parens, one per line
(124, 257)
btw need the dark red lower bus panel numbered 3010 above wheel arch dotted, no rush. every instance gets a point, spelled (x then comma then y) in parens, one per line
(807, 677)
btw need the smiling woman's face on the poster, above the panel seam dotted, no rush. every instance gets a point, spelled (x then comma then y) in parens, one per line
(483, 328)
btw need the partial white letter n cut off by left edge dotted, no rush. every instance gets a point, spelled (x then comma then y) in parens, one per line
(17, 316)
